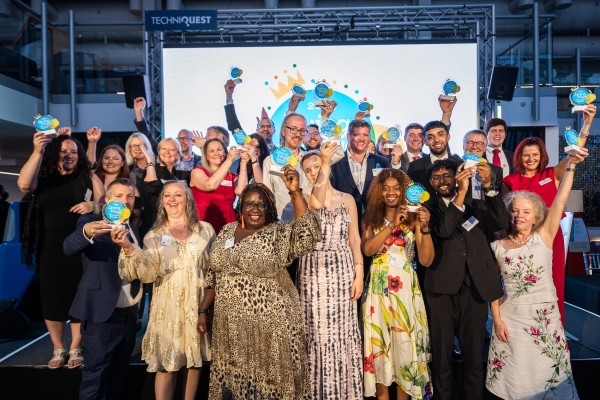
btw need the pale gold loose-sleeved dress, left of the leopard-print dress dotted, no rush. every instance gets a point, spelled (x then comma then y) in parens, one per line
(172, 340)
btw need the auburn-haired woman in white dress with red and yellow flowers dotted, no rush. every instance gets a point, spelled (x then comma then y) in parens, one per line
(396, 335)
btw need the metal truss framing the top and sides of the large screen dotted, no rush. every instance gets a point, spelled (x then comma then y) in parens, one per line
(442, 23)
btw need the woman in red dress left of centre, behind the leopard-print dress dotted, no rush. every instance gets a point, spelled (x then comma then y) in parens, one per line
(214, 186)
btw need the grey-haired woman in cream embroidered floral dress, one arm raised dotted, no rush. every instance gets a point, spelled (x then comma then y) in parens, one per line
(529, 355)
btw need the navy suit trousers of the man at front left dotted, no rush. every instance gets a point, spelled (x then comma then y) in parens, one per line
(107, 348)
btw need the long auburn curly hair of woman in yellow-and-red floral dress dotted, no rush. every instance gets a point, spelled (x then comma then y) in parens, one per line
(375, 212)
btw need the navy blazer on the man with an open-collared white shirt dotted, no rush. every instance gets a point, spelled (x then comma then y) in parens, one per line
(341, 178)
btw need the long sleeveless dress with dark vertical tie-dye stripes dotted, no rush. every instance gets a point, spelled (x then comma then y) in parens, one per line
(324, 281)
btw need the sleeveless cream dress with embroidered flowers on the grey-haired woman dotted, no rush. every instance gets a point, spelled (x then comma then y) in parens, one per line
(536, 363)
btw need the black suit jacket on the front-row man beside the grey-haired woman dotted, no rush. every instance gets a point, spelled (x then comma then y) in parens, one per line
(456, 248)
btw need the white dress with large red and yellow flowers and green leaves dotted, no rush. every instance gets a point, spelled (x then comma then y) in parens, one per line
(396, 334)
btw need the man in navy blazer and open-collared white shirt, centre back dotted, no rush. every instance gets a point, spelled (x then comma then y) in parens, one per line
(354, 173)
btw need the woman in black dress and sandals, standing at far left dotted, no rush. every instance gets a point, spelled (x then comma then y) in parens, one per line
(59, 175)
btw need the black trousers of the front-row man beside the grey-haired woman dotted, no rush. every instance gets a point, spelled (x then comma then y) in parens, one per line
(463, 314)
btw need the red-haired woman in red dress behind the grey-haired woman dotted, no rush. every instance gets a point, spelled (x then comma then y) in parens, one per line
(533, 174)
